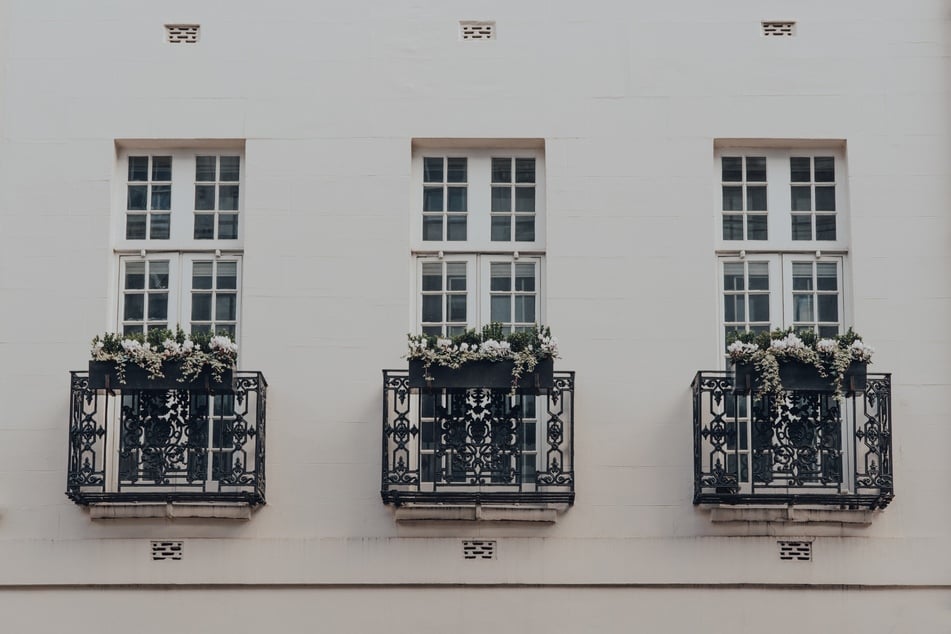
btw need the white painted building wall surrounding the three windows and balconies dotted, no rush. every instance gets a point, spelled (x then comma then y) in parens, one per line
(328, 97)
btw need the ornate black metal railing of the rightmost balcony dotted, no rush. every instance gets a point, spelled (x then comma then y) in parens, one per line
(812, 448)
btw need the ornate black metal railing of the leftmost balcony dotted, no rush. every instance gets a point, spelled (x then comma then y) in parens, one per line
(188, 445)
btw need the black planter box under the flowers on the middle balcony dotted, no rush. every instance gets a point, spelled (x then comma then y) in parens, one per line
(485, 374)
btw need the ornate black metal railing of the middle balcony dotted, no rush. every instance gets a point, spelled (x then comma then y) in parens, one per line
(477, 445)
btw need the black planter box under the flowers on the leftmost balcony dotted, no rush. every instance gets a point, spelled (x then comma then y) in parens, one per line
(103, 375)
